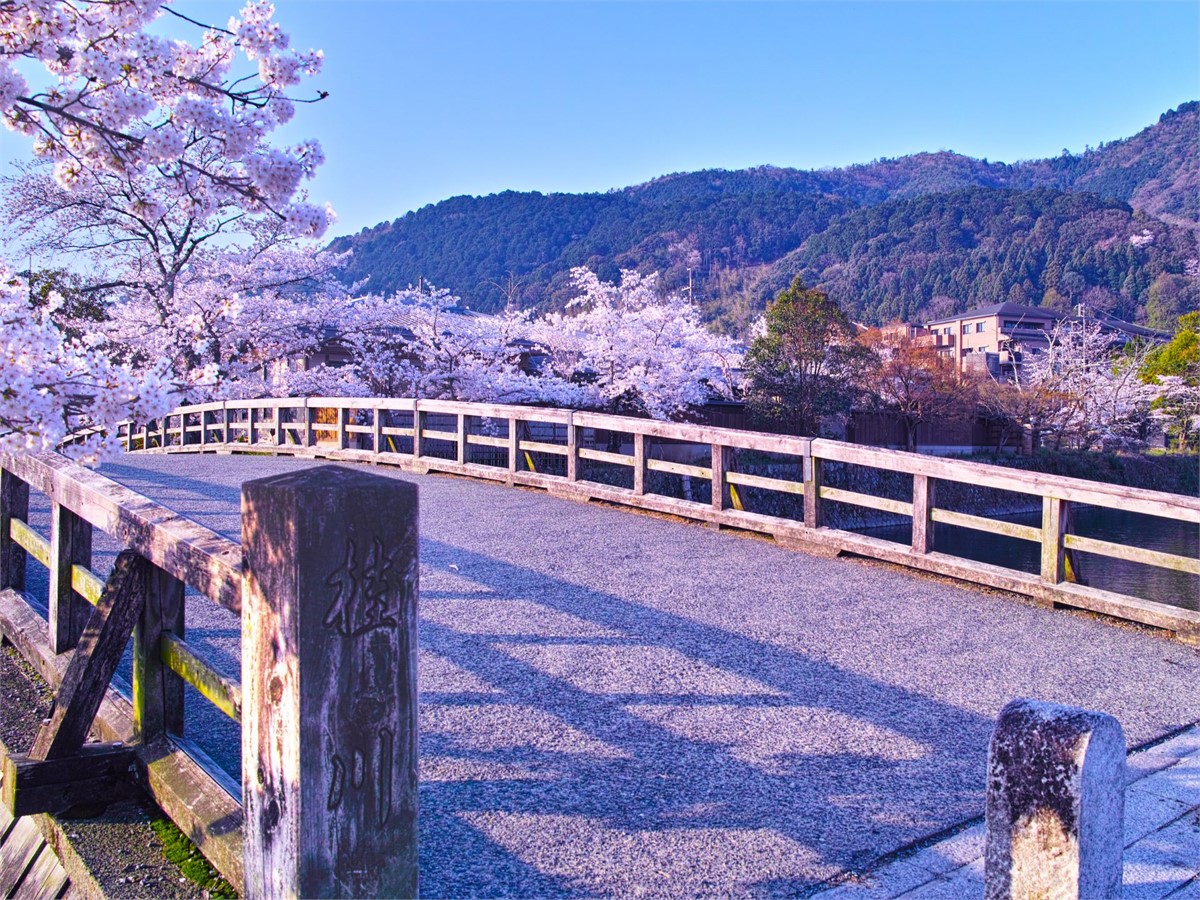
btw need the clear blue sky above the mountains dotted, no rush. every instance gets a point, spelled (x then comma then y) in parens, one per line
(431, 100)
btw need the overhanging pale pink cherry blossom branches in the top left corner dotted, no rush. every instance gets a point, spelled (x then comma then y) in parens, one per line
(118, 99)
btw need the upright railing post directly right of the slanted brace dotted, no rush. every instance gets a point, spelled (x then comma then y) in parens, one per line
(158, 692)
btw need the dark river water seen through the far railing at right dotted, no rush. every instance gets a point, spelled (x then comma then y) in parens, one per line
(1118, 575)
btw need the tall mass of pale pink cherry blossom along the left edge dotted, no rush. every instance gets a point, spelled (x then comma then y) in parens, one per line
(155, 147)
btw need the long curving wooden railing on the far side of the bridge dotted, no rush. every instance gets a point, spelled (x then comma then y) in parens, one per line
(548, 448)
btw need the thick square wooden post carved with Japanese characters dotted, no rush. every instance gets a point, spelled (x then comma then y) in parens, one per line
(329, 685)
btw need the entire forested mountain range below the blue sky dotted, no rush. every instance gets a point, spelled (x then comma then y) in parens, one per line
(931, 233)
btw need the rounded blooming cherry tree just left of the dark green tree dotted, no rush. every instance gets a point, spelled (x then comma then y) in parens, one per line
(634, 350)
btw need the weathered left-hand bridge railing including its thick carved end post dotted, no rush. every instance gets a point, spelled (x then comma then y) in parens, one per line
(262, 848)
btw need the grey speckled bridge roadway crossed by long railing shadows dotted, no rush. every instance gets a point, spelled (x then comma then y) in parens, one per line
(616, 704)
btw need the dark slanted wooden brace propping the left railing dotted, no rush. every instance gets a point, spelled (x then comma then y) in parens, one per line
(95, 661)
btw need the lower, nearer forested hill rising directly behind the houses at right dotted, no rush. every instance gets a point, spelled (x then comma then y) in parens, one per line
(943, 254)
